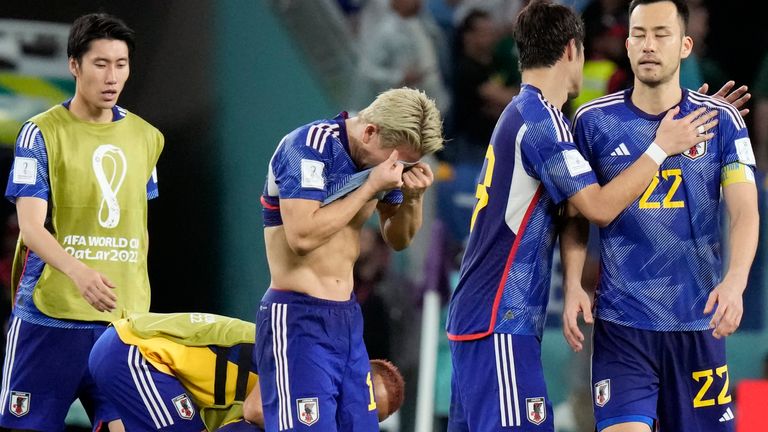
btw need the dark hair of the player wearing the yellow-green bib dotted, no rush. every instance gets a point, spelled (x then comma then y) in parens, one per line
(94, 26)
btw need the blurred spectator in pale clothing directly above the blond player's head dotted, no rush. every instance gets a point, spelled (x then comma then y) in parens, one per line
(398, 48)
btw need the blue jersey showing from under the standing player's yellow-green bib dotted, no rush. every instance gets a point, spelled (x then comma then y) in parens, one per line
(30, 143)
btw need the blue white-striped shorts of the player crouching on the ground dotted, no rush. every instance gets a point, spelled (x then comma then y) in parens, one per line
(146, 398)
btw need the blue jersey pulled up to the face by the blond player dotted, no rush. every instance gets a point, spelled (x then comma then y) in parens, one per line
(312, 162)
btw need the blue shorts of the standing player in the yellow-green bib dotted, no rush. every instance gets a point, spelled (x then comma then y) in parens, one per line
(45, 370)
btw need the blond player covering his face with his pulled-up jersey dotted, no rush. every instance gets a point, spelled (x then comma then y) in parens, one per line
(309, 347)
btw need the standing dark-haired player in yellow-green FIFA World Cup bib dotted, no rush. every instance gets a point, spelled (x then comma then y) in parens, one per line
(81, 178)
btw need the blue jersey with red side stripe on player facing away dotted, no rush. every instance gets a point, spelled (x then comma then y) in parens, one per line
(531, 166)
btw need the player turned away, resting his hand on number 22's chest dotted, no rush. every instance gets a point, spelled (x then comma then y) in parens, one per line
(532, 167)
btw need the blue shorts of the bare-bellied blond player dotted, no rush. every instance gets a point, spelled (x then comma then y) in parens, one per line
(313, 367)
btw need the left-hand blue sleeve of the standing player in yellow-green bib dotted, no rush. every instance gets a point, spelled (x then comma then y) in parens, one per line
(29, 173)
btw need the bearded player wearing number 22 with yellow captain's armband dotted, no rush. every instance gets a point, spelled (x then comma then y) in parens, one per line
(663, 306)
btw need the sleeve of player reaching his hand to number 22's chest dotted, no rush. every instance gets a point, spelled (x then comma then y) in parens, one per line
(557, 163)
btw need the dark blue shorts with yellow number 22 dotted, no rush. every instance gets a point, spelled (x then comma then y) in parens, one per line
(678, 380)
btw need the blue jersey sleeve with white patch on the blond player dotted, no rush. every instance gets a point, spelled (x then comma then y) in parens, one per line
(300, 168)
